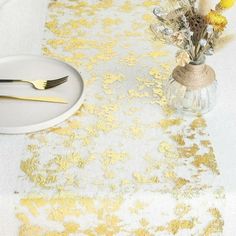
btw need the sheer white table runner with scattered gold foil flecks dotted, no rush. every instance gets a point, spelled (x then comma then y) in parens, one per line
(125, 164)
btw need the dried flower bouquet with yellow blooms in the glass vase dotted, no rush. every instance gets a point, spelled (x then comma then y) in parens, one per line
(195, 27)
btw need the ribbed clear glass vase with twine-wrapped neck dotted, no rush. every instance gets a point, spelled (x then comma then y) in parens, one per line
(192, 89)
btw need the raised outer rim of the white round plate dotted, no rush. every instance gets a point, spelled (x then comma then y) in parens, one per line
(51, 122)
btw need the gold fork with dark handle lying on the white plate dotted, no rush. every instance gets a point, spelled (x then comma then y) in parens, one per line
(39, 84)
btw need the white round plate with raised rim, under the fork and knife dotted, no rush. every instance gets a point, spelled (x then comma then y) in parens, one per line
(17, 117)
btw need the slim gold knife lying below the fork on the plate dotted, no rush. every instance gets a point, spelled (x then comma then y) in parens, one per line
(36, 99)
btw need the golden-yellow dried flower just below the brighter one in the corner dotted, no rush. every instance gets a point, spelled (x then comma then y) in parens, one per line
(217, 20)
